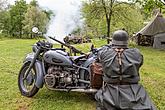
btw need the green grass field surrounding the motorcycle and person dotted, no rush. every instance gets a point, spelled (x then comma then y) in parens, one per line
(12, 53)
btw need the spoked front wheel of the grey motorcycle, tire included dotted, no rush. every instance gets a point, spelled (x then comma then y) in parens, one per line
(27, 85)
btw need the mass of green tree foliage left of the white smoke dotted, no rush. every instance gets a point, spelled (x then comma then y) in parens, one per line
(18, 20)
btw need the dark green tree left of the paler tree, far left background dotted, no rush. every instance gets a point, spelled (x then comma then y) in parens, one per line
(17, 14)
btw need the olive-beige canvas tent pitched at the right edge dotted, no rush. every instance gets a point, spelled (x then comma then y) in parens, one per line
(155, 30)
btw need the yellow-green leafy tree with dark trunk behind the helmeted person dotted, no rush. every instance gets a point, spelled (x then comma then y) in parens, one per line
(108, 13)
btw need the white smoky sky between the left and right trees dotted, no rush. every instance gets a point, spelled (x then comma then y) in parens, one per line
(66, 16)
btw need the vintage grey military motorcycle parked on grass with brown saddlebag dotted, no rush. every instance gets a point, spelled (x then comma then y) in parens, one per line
(57, 69)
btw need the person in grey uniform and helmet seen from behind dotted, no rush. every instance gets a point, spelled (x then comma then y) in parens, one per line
(121, 90)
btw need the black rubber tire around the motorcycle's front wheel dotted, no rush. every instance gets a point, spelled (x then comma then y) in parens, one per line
(24, 91)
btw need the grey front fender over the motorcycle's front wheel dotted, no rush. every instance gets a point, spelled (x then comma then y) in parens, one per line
(39, 70)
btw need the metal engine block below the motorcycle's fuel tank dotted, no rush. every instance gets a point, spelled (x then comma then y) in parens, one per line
(58, 77)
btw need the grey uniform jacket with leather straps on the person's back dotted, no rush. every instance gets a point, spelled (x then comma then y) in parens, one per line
(131, 60)
